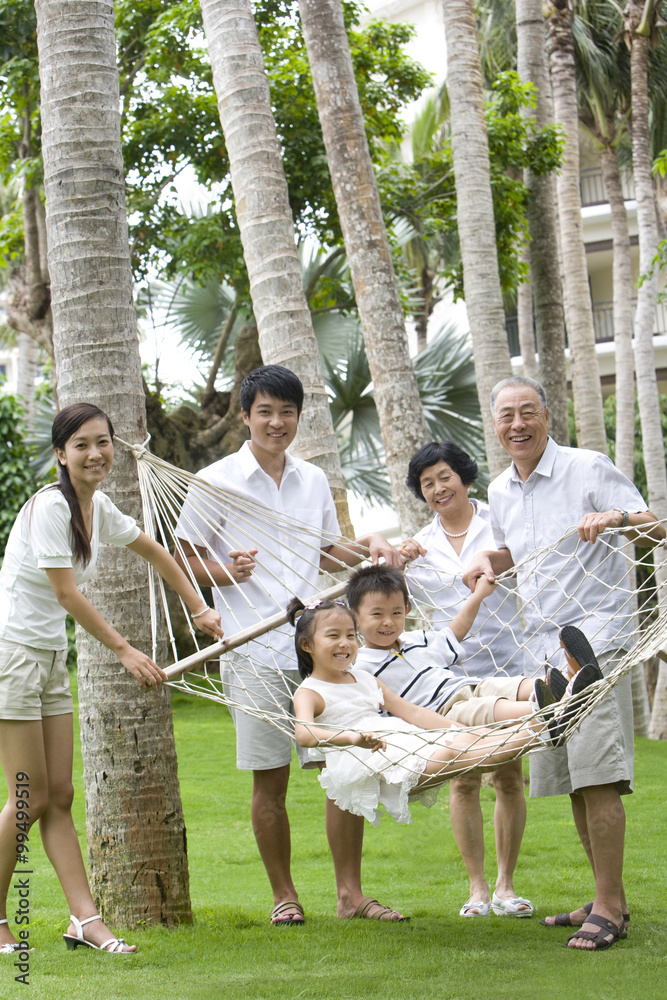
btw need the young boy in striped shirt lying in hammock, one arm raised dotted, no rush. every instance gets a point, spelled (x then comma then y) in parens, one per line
(424, 666)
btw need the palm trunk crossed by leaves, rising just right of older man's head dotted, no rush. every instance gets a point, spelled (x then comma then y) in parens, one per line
(543, 225)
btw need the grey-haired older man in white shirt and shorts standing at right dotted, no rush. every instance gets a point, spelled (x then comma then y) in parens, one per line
(547, 489)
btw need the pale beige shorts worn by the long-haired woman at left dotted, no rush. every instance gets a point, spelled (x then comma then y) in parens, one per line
(33, 682)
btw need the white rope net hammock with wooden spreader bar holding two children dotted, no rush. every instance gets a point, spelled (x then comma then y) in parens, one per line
(178, 507)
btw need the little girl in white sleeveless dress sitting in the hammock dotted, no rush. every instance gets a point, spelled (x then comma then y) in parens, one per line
(384, 759)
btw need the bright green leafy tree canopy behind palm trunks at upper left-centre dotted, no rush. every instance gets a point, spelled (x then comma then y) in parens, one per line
(170, 121)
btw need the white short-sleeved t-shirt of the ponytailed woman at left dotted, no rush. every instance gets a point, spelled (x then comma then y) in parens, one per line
(41, 539)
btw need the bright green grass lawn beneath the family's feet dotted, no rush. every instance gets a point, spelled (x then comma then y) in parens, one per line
(231, 951)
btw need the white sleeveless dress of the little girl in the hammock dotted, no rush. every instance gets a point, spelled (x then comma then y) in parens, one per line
(359, 780)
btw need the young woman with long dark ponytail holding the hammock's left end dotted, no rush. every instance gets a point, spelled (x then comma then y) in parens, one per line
(52, 549)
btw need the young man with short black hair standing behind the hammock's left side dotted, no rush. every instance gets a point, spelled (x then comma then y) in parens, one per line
(262, 559)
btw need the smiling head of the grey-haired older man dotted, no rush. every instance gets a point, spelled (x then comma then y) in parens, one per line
(521, 424)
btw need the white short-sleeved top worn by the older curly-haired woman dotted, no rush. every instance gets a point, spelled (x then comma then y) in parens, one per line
(492, 645)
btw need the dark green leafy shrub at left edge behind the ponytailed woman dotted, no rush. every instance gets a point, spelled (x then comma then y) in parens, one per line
(16, 481)
